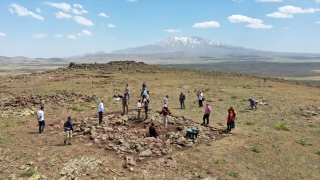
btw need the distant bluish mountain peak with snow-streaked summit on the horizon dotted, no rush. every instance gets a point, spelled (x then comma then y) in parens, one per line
(191, 45)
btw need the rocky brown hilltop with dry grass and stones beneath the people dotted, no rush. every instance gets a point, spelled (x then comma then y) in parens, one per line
(277, 141)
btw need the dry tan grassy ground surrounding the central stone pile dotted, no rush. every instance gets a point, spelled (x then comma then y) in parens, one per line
(255, 150)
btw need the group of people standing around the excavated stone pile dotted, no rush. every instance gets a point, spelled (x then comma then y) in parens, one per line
(143, 103)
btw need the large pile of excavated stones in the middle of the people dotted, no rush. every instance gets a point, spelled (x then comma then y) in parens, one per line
(124, 135)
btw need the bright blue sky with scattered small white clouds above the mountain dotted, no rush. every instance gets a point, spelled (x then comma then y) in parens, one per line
(45, 29)
